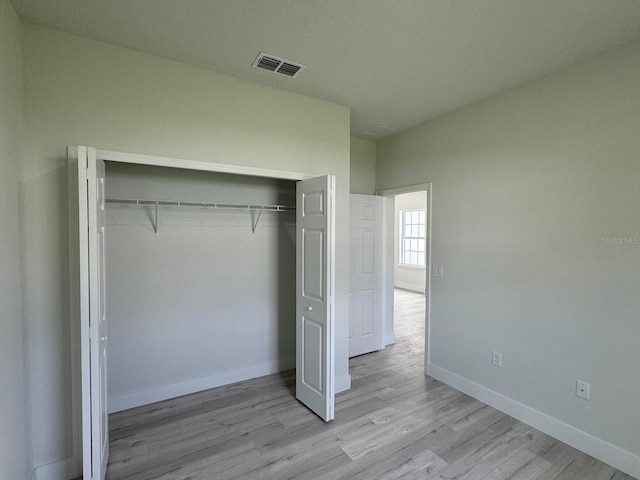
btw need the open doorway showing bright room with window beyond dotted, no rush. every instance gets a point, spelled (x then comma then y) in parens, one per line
(406, 259)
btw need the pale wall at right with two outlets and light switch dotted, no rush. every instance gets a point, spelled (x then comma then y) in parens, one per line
(527, 187)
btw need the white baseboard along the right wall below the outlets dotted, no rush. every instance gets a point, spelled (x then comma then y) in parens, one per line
(604, 451)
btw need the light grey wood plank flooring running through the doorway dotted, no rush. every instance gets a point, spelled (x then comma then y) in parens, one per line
(394, 423)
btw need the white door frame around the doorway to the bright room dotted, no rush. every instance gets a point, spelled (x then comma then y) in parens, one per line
(388, 233)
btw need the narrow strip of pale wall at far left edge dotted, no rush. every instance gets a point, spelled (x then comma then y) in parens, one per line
(13, 454)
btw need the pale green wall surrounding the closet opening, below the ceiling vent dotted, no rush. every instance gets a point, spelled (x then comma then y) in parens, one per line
(79, 91)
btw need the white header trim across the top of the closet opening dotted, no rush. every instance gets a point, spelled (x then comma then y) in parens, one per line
(139, 159)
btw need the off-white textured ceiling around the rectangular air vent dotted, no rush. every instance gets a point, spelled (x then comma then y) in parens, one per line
(395, 63)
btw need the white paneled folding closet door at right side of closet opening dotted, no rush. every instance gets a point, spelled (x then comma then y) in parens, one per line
(315, 295)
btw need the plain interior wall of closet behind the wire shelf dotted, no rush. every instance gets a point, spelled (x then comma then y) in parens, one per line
(205, 302)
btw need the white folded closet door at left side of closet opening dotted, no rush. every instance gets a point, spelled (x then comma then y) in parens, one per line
(93, 324)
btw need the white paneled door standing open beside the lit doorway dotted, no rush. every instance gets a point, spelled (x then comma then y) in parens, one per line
(365, 261)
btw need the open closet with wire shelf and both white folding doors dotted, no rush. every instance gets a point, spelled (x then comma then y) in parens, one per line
(205, 277)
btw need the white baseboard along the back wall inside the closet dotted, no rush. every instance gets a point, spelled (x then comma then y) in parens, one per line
(125, 401)
